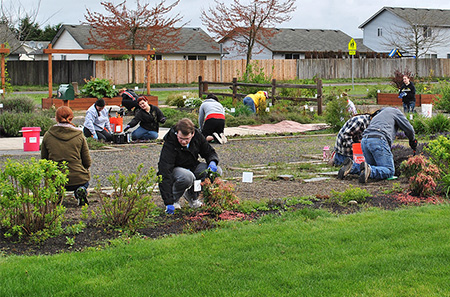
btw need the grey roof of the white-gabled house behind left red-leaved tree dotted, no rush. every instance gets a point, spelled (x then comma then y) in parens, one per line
(192, 40)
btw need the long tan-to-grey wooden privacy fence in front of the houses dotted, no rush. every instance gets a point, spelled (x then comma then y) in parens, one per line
(187, 71)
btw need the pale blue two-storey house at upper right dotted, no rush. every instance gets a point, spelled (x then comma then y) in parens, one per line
(392, 25)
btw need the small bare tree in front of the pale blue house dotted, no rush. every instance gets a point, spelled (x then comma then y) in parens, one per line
(418, 35)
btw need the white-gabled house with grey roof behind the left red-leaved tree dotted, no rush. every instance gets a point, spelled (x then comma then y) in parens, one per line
(194, 44)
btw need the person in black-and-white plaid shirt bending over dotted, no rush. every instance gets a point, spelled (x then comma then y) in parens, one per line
(350, 133)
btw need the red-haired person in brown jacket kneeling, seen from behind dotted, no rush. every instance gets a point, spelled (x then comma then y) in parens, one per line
(65, 142)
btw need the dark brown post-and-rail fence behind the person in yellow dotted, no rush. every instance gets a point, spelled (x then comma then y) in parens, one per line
(204, 85)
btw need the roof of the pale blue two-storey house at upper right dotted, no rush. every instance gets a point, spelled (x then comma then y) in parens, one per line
(440, 17)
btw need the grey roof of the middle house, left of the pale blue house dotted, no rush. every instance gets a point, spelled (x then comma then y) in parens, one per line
(309, 40)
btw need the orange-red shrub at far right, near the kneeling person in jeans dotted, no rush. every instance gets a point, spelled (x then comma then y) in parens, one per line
(422, 175)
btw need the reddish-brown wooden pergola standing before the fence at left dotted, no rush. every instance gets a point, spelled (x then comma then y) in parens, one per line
(50, 51)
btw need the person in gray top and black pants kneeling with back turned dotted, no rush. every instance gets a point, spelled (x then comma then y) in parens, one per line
(211, 119)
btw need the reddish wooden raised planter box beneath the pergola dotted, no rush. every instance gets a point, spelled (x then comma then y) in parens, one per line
(85, 103)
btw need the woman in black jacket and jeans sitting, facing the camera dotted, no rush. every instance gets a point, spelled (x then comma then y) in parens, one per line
(149, 117)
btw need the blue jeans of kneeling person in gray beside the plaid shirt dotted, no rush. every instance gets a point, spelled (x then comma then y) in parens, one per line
(378, 155)
